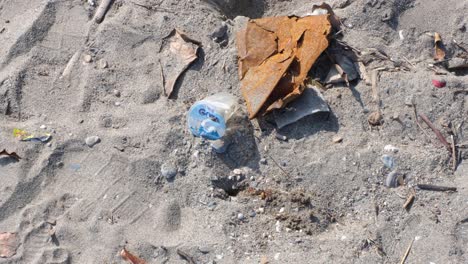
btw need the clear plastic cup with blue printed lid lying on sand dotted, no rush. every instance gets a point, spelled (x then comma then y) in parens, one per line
(207, 118)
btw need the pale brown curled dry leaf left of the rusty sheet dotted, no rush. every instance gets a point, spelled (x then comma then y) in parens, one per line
(177, 54)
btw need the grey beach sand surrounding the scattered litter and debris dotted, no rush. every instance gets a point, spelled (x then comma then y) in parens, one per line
(320, 196)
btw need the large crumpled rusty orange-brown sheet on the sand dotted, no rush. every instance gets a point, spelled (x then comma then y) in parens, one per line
(275, 56)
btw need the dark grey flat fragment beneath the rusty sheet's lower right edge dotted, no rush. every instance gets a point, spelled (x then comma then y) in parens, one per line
(311, 102)
